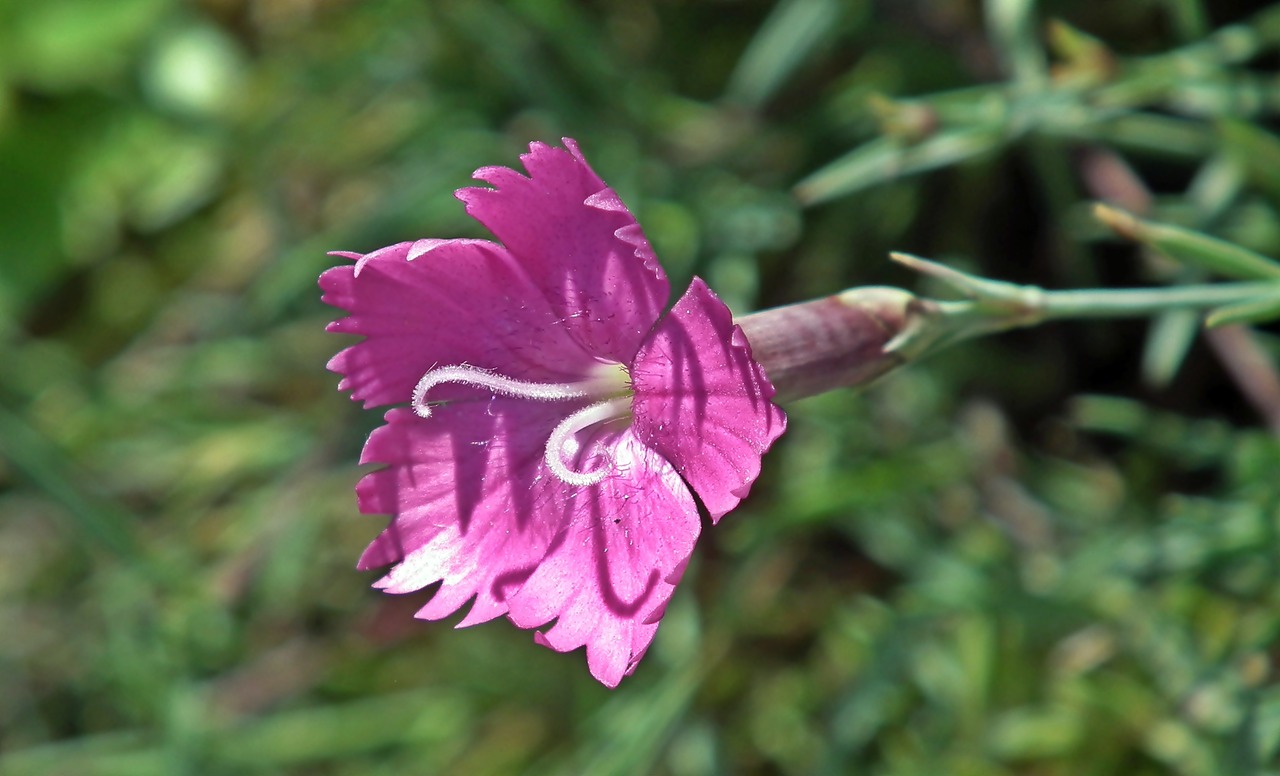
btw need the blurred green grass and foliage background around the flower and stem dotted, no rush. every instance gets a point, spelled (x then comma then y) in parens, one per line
(1050, 553)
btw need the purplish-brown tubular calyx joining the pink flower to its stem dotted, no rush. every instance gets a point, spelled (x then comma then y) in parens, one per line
(839, 341)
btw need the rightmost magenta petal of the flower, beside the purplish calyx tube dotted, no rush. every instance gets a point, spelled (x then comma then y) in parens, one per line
(703, 403)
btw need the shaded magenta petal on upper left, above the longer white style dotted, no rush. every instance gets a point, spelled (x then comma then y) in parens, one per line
(441, 303)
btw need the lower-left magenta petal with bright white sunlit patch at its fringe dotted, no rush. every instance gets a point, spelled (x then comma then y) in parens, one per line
(472, 506)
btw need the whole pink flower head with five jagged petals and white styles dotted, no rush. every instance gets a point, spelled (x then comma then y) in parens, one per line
(557, 421)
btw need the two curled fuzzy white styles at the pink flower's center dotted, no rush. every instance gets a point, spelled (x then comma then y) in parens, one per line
(611, 386)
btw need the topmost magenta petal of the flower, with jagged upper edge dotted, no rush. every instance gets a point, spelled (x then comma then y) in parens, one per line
(579, 243)
